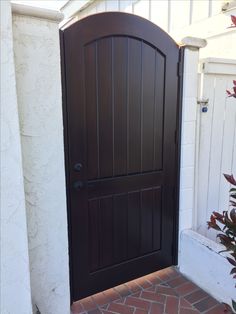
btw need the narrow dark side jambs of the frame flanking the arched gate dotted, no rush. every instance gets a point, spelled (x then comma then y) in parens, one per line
(175, 240)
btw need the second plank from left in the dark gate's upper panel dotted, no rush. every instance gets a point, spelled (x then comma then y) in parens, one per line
(105, 107)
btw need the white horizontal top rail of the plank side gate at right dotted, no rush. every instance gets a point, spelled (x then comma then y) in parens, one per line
(218, 66)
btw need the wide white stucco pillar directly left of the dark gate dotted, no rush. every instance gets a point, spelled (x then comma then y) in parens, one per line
(38, 78)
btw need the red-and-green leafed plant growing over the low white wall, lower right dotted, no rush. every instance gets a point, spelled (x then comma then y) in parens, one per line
(226, 224)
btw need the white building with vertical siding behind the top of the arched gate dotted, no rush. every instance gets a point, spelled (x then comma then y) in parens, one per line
(208, 19)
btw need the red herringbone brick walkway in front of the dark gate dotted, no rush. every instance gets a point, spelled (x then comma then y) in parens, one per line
(165, 291)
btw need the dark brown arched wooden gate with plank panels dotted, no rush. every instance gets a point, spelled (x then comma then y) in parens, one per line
(120, 81)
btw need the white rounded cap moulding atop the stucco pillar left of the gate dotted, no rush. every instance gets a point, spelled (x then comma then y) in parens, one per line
(48, 14)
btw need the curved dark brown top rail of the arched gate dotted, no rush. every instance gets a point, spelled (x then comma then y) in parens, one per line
(101, 25)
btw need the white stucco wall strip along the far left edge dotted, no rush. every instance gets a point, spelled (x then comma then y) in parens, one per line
(15, 280)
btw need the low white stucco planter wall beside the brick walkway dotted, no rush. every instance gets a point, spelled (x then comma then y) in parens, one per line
(201, 262)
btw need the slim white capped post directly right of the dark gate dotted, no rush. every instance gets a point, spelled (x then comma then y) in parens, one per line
(188, 137)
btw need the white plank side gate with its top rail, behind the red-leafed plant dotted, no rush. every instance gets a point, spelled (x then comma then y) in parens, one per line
(216, 140)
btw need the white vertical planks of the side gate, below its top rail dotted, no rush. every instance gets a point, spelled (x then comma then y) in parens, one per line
(216, 150)
